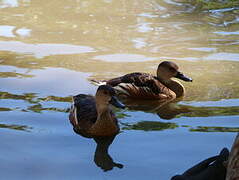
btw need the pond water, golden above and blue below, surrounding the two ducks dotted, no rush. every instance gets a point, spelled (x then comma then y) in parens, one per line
(50, 49)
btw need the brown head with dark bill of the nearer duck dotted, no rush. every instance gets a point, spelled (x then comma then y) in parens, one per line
(105, 96)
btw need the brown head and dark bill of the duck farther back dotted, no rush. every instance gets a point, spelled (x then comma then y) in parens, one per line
(167, 69)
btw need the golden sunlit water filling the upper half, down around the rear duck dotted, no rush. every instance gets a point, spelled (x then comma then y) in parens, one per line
(110, 38)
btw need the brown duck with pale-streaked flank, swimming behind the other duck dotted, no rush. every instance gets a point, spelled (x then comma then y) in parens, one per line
(138, 85)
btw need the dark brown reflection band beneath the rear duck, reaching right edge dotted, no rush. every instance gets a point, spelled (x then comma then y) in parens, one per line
(170, 110)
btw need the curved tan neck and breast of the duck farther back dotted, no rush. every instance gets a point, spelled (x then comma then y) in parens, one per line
(174, 85)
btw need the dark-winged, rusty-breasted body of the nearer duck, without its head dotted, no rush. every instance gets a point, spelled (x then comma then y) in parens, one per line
(84, 118)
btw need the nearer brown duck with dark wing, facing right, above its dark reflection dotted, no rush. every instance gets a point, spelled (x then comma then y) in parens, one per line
(92, 116)
